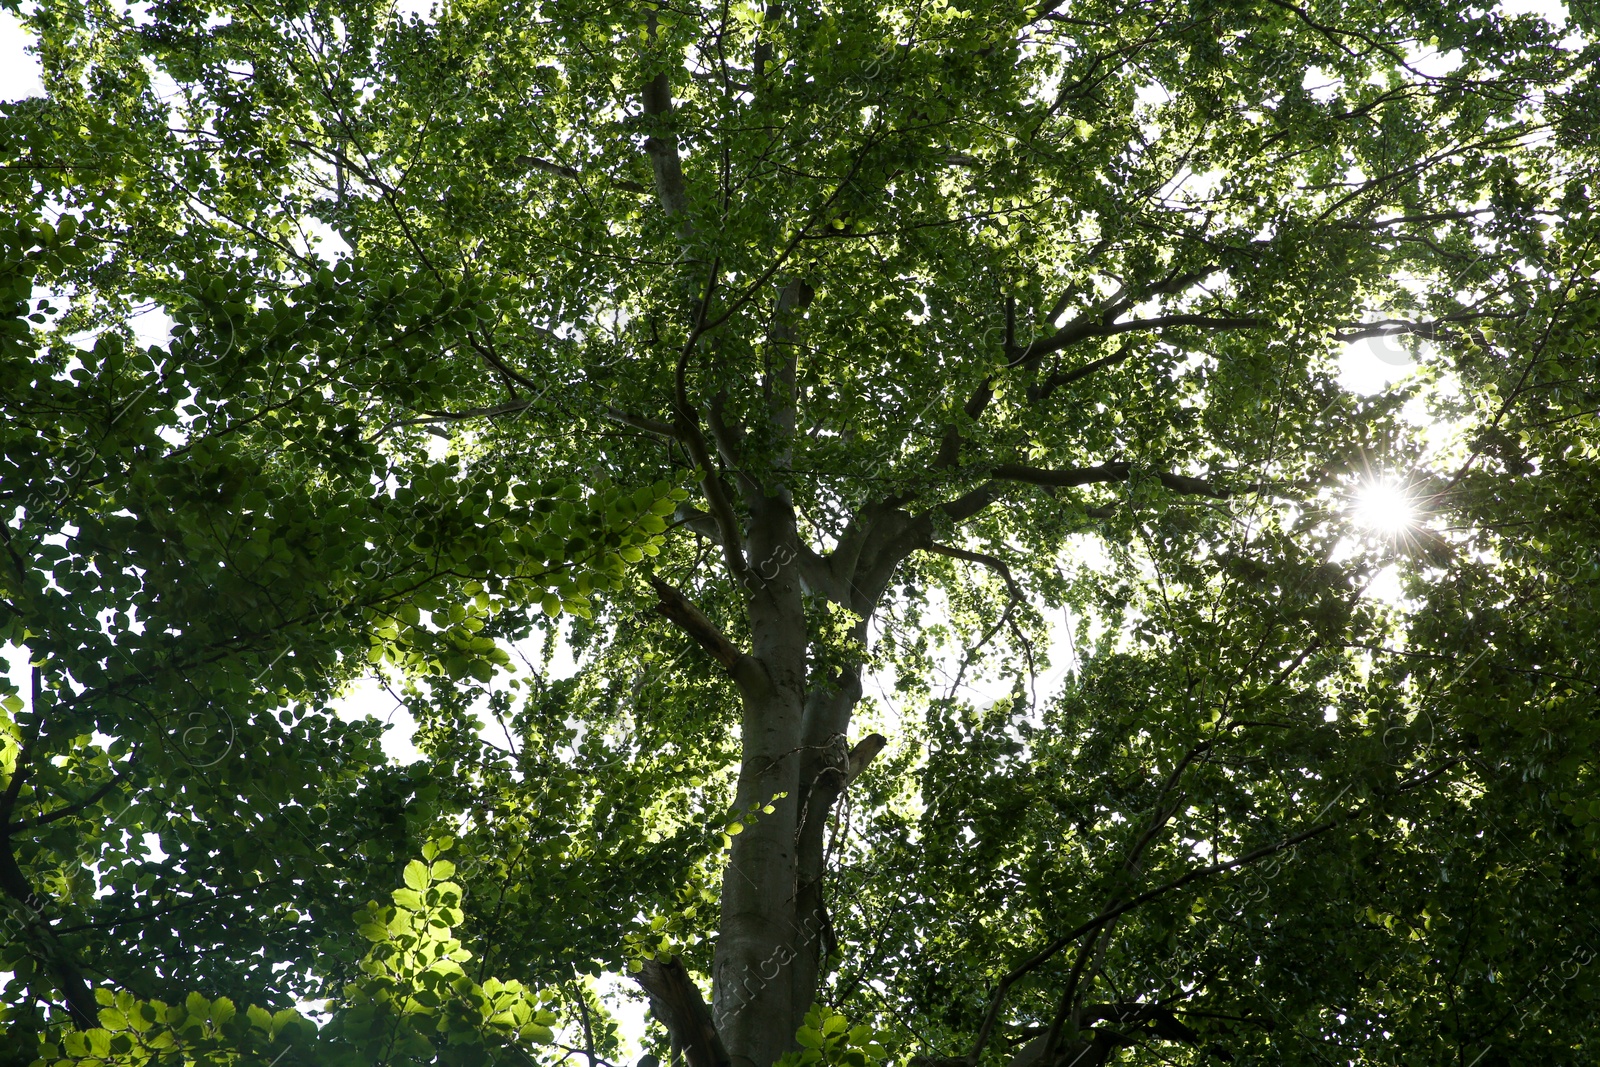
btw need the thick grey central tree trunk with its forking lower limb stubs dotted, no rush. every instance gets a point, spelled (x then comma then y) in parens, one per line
(794, 753)
